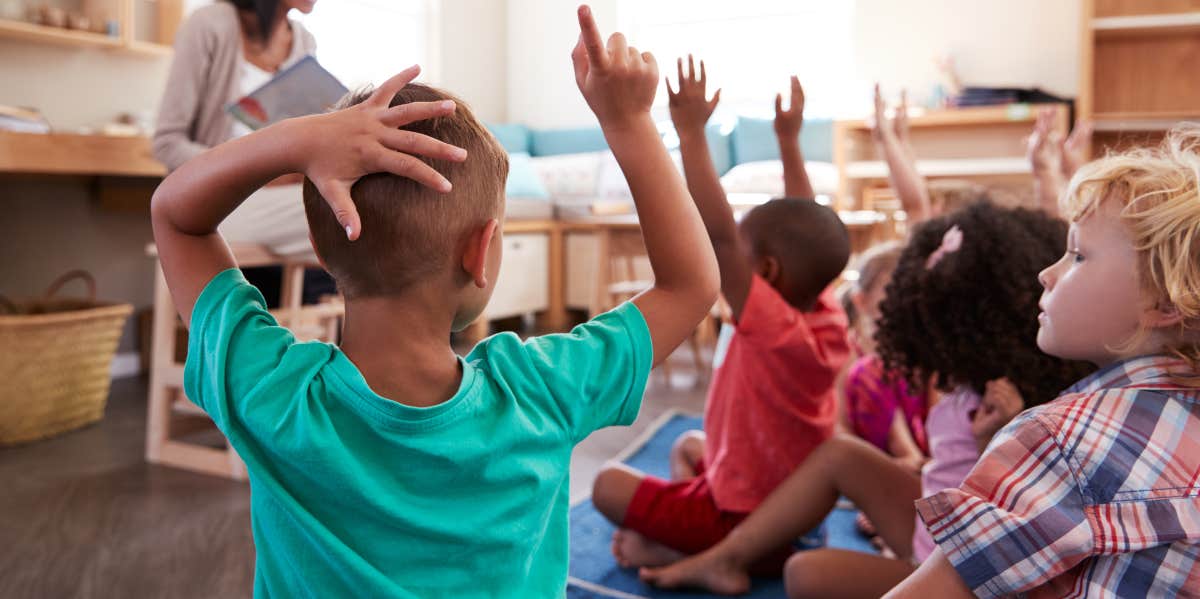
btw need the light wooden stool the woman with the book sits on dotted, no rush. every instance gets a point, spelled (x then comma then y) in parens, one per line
(167, 399)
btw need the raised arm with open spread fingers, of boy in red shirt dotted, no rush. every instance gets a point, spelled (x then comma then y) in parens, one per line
(691, 110)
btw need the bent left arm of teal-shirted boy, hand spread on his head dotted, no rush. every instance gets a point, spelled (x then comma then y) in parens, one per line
(333, 149)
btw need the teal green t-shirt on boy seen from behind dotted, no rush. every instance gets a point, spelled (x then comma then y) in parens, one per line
(355, 495)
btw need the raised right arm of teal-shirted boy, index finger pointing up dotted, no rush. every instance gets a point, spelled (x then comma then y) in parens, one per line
(619, 83)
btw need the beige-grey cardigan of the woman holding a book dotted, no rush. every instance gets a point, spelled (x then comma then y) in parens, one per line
(203, 82)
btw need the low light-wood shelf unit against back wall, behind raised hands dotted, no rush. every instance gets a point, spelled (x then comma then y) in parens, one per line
(986, 146)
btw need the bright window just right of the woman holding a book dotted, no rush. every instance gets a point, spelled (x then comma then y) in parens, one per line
(368, 41)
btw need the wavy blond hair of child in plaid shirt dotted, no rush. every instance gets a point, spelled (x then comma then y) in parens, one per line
(1160, 194)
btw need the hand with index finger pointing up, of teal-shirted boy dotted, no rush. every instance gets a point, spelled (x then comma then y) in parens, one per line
(617, 82)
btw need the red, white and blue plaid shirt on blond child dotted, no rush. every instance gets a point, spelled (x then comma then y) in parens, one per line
(1096, 494)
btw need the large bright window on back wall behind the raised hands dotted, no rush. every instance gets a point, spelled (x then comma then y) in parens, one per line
(752, 47)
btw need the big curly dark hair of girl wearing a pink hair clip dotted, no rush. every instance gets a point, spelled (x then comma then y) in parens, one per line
(973, 318)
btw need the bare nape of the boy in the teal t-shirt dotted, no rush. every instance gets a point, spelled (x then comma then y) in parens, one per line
(403, 346)
